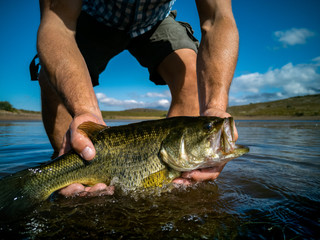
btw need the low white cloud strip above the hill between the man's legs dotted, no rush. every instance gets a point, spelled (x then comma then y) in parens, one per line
(131, 103)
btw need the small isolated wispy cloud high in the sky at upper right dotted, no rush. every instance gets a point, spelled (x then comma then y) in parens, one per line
(293, 36)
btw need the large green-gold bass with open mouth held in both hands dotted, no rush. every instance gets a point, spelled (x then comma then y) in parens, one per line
(140, 155)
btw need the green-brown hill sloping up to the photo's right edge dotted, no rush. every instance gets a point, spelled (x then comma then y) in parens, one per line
(291, 107)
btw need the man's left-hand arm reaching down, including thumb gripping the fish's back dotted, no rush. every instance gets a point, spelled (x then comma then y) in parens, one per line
(66, 69)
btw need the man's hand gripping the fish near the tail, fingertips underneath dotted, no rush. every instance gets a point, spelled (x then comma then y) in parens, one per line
(84, 147)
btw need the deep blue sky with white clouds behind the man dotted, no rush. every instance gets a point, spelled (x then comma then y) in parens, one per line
(279, 56)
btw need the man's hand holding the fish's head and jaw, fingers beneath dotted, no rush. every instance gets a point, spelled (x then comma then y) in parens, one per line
(206, 174)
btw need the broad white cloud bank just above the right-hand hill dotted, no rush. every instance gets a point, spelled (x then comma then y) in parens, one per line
(287, 81)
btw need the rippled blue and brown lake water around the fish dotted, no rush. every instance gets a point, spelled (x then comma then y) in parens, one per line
(273, 192)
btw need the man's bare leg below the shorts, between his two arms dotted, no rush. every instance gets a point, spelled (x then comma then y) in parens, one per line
(178, 70)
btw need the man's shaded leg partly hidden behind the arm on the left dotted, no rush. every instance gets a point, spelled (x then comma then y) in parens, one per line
(55, 117)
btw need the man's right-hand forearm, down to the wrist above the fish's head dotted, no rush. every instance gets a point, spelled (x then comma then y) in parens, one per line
(217, 57)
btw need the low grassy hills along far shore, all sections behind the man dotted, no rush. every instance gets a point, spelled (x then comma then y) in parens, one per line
(298, 107)
